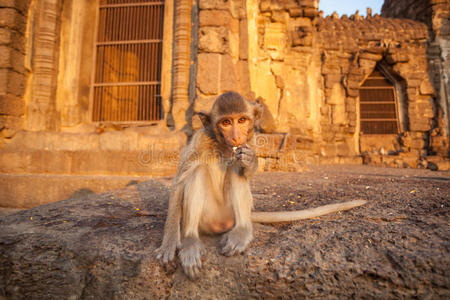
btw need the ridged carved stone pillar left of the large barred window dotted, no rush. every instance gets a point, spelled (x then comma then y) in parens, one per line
(41, 111)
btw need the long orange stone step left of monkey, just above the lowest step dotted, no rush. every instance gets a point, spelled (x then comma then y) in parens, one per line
(125, 163)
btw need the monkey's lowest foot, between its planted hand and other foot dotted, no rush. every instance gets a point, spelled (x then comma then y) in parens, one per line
(190, 256)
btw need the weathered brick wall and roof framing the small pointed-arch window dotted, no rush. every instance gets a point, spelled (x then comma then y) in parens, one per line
(351, 48)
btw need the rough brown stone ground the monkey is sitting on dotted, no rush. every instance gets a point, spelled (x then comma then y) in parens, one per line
(99, 246)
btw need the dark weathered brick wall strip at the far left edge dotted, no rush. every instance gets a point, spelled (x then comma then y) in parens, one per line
(13, 21)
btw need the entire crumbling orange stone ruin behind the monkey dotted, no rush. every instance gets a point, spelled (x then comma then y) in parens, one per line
(319, 79)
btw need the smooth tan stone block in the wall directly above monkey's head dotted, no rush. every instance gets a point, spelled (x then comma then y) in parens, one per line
(208, 73)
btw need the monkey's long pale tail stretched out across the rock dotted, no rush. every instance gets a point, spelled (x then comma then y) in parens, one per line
(288, 216)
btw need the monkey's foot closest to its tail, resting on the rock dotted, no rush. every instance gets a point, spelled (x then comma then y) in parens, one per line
(236, 240)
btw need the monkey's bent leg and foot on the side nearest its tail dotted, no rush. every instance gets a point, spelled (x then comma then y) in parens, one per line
(237, 192)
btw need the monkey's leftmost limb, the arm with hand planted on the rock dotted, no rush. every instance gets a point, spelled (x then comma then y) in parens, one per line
(171, 239)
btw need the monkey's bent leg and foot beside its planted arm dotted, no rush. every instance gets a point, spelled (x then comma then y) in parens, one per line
(196, 192)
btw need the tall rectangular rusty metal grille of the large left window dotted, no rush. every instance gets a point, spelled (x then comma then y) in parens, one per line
(128, 61)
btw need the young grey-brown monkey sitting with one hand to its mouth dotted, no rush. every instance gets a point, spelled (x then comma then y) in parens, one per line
(211, 194)
